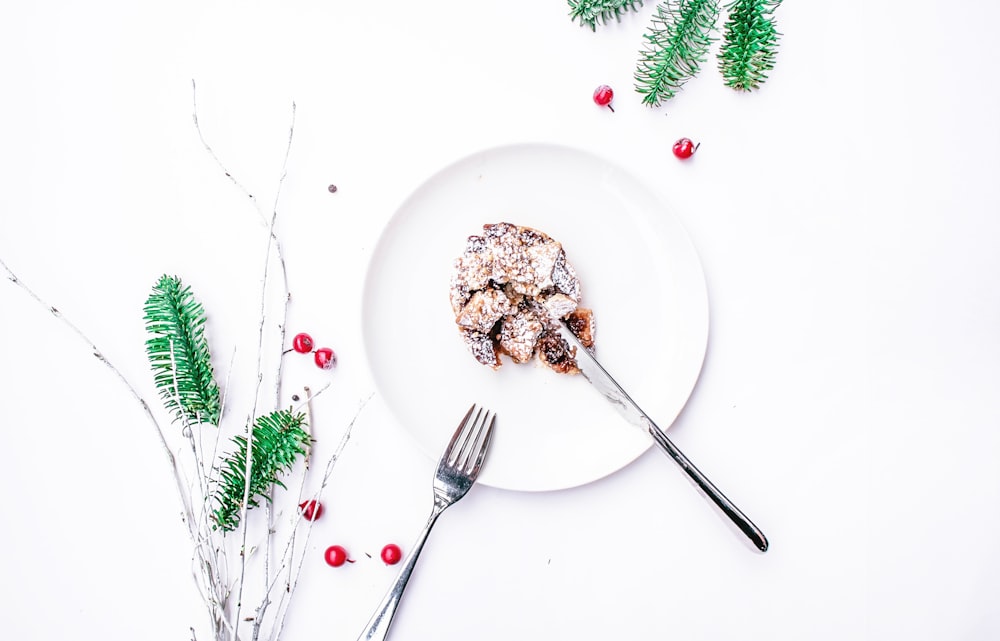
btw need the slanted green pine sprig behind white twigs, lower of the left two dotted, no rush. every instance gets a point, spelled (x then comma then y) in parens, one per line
(278, 439)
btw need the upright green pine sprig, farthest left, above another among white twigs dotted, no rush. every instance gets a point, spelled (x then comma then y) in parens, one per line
(178, 353)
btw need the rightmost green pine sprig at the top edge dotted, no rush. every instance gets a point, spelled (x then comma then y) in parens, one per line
(749, 43)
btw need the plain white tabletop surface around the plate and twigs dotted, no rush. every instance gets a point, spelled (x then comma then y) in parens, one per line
(845, 217)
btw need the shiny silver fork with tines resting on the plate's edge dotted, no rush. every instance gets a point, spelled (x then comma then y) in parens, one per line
(460, 465)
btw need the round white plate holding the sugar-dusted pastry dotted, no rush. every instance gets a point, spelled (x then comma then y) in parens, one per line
(639, 273)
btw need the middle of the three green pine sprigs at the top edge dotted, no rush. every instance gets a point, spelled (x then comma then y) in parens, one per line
(676, 44)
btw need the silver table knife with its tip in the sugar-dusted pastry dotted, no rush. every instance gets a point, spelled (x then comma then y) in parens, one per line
(599, 377)
